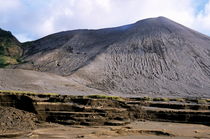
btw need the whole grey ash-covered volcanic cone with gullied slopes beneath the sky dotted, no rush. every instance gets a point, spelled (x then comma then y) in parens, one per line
(154, 56)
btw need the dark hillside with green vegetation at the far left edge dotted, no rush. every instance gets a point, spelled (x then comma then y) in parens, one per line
(10, 49)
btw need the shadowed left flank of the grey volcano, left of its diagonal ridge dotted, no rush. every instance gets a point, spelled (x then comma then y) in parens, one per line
(64, 53)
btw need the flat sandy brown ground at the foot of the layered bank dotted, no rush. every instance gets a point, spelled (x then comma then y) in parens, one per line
(135, 130)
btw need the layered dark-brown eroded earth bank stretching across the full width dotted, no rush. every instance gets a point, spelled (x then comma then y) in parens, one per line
(105, 110)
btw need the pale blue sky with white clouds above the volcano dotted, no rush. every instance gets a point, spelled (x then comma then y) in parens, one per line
(33, 19)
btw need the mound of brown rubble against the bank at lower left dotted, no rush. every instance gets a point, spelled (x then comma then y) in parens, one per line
(12, 119)
